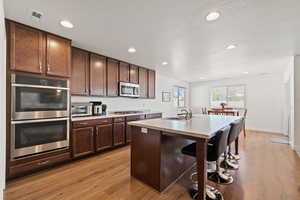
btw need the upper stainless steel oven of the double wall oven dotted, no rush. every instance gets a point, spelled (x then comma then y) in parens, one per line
(39, 98)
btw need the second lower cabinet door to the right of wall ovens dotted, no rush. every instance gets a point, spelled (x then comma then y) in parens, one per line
(104, 137)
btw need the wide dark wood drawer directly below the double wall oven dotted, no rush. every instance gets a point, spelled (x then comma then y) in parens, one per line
(37, 164)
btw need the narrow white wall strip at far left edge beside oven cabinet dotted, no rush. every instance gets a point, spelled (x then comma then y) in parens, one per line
(2, 99)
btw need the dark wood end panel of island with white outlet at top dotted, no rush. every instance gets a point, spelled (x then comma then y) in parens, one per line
(145, 156)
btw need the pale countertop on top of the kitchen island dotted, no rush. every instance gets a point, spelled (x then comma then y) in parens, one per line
(201, 126)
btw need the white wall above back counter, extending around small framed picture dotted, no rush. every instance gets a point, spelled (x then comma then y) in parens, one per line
(163, 83)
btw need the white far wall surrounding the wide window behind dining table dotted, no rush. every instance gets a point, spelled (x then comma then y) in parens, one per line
(264, 100)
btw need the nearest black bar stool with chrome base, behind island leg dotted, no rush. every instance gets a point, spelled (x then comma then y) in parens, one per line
(216, 147)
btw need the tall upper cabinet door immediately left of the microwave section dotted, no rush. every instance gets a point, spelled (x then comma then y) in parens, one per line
(112, 77)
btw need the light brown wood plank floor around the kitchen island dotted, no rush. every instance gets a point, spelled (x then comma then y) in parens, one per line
(268, 171)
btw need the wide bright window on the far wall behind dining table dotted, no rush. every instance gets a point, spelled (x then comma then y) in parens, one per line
(232, 96)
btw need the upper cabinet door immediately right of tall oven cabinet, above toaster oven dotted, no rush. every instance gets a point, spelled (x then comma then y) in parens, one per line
(80, 72)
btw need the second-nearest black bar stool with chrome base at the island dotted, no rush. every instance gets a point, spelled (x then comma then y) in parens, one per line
(231, 160)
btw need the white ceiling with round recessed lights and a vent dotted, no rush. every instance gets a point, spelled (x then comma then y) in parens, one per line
(267, 33)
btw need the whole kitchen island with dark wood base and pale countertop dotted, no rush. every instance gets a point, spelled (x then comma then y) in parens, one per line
(156, 157)
